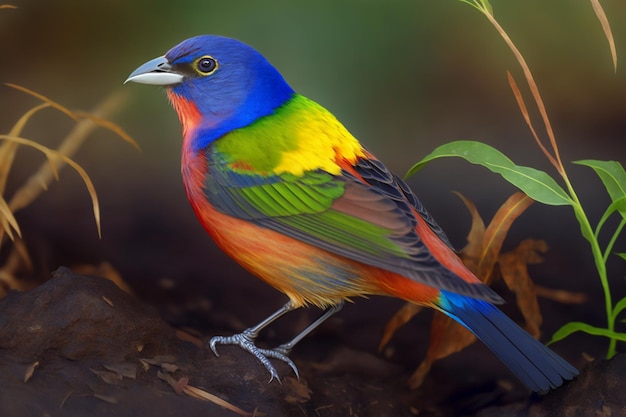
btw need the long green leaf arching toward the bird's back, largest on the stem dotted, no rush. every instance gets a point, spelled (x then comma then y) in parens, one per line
(535, 183)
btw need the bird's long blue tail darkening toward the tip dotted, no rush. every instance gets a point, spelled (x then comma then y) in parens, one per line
(538, 367)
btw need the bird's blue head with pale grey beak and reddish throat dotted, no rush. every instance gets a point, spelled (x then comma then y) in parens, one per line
(227, 82)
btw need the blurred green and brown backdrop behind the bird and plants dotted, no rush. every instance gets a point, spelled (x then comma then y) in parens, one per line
(403, 75)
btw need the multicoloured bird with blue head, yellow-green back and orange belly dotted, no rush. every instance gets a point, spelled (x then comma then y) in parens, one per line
(285, 190)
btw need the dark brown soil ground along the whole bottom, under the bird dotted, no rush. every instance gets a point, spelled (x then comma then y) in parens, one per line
(77, 345)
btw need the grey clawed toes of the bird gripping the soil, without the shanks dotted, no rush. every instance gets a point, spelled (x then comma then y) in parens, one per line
(245, 341)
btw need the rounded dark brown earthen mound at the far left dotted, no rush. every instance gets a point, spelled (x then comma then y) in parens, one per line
(78, 317)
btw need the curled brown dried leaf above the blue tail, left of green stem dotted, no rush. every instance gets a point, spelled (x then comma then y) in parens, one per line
(514, 270)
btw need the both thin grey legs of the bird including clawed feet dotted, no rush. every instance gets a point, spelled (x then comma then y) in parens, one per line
(245, 339)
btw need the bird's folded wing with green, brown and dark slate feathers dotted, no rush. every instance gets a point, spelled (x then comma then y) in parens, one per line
(369, 218)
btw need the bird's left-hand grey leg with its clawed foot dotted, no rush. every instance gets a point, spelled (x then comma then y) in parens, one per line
(245, 340)
